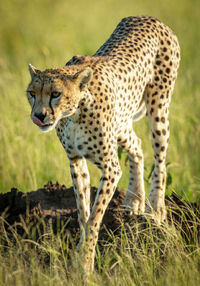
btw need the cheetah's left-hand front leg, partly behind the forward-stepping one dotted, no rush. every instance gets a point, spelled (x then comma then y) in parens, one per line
(81, 183)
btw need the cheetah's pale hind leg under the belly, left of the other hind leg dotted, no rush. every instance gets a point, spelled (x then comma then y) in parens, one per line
(135, 196)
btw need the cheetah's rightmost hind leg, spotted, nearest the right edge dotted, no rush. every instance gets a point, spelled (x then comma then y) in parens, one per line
(158, 112)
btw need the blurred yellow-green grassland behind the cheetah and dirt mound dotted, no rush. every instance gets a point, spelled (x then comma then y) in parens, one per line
(47, 33)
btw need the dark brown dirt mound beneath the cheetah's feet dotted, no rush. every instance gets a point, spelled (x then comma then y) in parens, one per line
(56, 204)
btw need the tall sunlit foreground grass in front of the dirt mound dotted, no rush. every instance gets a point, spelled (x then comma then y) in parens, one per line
(138, 256)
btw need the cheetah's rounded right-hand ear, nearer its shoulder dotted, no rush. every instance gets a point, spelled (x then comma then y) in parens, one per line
(82, 77)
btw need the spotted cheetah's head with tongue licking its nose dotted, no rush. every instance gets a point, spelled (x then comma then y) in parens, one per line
(54, 94)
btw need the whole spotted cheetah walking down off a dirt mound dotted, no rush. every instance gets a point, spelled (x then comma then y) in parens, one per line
(92, 102)
